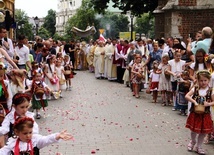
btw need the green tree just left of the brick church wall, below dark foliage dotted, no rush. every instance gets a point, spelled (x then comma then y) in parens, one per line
(145, 24)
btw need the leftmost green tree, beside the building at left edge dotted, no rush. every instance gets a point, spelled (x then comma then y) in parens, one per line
(23, 25)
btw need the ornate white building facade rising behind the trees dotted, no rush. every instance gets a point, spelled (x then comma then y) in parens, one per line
(66, 9)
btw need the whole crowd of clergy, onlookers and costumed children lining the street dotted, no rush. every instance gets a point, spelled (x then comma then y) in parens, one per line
(32, 73)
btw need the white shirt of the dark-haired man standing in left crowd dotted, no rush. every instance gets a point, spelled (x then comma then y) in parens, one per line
(23, 54)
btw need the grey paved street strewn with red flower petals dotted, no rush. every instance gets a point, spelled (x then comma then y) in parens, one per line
(106, 119)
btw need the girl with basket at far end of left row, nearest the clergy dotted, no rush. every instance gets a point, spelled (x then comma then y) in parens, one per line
(68, 71)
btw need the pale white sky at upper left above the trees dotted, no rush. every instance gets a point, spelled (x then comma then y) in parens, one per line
(35, 8)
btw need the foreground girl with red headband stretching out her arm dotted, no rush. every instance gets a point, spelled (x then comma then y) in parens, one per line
(28, 143)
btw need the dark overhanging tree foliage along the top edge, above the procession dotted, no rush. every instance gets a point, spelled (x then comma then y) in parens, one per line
(136, 7)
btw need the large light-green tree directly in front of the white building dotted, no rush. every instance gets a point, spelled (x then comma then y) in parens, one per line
(85, 16)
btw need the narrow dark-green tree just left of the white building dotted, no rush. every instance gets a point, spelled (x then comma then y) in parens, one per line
(50, 22)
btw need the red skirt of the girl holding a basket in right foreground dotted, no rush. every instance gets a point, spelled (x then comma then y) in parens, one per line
(200, 123)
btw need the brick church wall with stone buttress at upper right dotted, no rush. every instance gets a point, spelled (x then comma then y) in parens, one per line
(179, 18)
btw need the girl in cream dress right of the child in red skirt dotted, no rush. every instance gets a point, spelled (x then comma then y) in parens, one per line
(164, 85)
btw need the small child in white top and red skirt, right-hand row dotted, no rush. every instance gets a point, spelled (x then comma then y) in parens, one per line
(154, 78)
